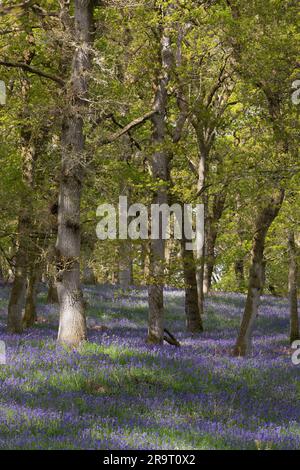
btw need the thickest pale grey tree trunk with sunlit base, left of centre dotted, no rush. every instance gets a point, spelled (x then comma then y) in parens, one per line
(72, 323)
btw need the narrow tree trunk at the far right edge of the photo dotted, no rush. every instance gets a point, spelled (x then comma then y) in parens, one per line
(293, 297)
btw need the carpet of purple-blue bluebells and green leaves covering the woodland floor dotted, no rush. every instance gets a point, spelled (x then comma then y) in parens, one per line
(116, 392)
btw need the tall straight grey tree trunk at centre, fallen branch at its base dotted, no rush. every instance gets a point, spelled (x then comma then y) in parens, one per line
(160, 172)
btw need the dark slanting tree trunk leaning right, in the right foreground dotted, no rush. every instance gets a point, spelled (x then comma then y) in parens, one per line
(256, 275)
